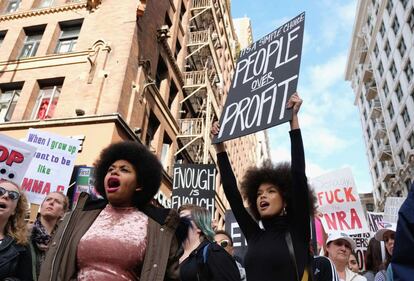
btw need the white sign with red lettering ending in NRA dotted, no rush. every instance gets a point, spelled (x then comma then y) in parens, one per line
(339, 203)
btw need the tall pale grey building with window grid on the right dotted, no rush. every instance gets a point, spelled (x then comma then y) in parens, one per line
(380, 67)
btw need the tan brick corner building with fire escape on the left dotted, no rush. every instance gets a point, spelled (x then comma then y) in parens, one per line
(156, 72)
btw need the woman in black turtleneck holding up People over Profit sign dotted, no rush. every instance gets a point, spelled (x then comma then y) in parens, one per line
(278, 196)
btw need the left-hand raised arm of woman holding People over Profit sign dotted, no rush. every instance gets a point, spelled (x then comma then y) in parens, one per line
(245, 221)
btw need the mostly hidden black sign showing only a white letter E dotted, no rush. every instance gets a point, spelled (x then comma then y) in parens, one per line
(239, 241)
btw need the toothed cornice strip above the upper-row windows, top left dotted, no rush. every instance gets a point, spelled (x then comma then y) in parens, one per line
(44, 11)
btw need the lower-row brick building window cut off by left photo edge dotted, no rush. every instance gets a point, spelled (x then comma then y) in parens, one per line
(9, 94)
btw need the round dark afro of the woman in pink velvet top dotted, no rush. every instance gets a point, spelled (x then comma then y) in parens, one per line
(146, 165)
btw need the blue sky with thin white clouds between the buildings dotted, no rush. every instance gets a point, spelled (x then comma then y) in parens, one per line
(329, 119)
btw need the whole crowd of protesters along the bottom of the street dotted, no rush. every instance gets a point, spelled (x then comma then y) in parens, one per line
(124, 237)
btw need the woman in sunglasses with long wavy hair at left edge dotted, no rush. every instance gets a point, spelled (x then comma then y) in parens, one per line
(15, 257)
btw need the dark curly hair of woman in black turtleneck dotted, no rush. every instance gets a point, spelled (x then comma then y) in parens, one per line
(278, 175)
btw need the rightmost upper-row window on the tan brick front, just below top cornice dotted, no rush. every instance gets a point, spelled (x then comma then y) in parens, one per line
(69, 33)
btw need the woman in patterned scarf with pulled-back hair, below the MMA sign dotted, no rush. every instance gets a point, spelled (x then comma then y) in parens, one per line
(51, 212)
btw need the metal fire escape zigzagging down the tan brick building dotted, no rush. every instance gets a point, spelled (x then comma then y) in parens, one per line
(201, 75)
